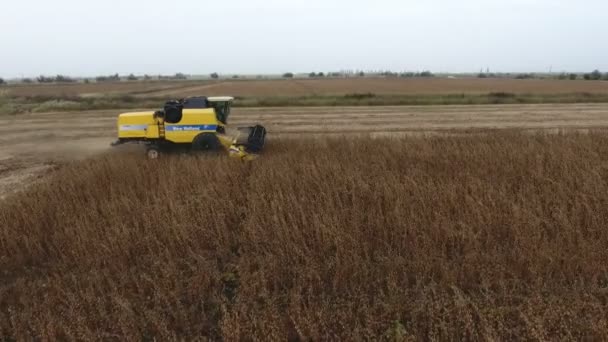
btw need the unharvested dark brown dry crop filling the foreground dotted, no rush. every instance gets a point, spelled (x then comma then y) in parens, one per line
(479, 237)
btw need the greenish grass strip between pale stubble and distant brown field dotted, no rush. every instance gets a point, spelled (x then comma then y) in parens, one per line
(17, 105)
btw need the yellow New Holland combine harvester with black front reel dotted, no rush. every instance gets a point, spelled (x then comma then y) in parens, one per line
(196, 124)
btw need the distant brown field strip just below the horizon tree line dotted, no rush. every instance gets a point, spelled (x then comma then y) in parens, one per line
(310, 87)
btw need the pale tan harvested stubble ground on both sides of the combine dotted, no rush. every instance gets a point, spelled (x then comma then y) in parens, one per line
(33, 144)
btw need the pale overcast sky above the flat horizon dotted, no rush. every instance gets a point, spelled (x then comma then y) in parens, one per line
(92, 37)
